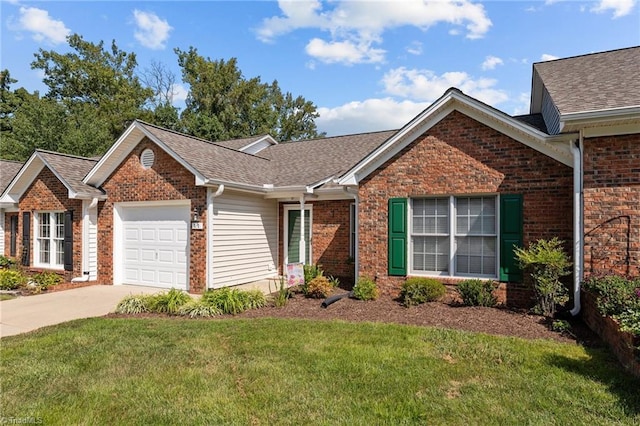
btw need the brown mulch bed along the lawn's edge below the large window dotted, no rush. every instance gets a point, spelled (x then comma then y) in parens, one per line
(447, 314)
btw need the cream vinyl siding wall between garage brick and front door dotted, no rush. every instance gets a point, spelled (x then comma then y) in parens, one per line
(244, 239)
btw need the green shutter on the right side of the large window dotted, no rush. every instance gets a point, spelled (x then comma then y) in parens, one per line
(510, 236)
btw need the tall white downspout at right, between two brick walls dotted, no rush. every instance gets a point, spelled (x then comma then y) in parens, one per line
(577, 149)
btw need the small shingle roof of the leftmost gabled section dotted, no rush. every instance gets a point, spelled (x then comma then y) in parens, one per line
(72, 170)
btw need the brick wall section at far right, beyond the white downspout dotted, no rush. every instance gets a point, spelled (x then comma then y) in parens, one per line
(612, 205)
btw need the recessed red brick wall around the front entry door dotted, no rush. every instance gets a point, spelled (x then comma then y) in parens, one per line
(330, 238)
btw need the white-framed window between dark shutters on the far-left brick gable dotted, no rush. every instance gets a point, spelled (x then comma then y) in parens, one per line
(50, 239)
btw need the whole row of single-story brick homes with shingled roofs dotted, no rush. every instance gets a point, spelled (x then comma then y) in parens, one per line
(448, 195)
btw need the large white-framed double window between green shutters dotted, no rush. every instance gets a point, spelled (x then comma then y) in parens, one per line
(455, 236)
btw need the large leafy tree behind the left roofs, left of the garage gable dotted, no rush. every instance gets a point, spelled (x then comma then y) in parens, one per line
(96, 85)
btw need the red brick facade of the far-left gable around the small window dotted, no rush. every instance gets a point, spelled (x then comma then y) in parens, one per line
(47, 193)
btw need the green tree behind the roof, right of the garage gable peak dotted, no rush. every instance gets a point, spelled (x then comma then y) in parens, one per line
(223, 104)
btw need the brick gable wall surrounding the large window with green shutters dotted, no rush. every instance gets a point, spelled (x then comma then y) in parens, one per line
(462, 156)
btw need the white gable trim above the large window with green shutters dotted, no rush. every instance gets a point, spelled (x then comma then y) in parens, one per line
(470, 107)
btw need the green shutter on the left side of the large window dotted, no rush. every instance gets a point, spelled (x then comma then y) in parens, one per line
(398, 236)
